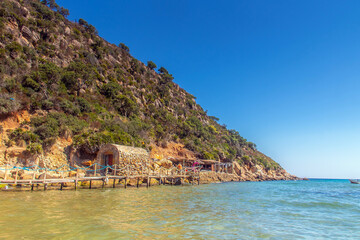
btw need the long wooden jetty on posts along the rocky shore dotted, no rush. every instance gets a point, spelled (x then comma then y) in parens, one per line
(105, 178)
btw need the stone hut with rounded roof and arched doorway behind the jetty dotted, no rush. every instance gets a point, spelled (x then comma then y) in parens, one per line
(113, 154)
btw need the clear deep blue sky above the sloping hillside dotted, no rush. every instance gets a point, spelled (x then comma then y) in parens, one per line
(285, 74)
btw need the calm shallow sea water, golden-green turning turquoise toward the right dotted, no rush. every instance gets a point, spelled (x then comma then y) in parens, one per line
(316, 209)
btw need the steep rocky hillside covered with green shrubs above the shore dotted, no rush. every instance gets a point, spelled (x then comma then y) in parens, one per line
(65, 90)
